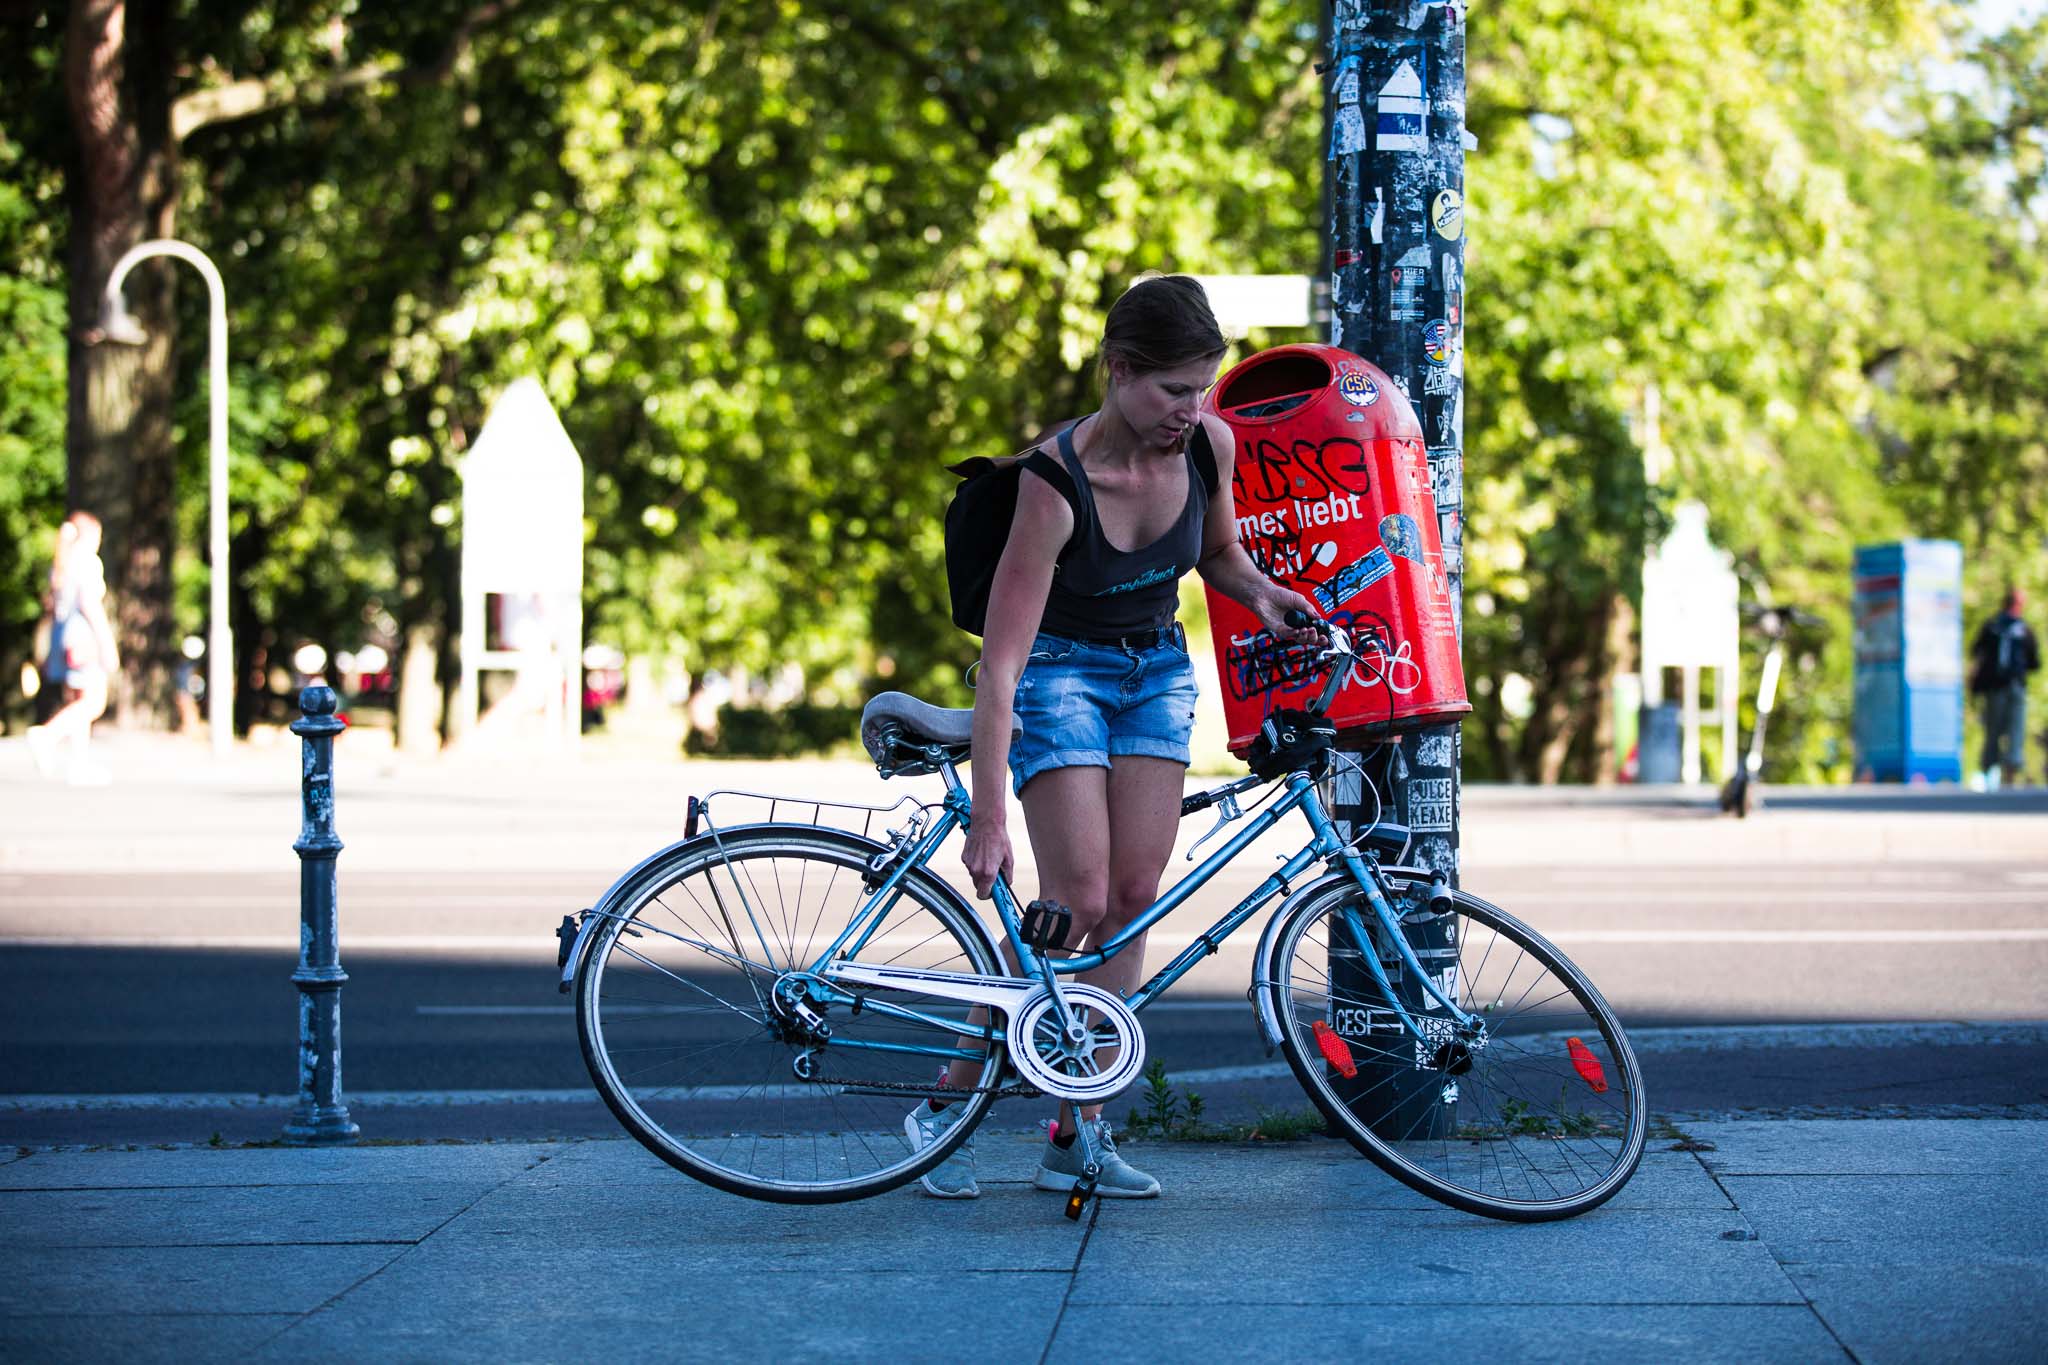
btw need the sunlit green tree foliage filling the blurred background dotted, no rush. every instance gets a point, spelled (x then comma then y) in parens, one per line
(779, 263)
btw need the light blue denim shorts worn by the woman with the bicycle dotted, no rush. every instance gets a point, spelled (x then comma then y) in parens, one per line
(1082, 703)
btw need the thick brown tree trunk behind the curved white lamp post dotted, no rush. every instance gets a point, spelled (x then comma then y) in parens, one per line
(120, 455)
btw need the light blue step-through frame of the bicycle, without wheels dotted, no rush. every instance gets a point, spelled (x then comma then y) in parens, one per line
(1324, 846)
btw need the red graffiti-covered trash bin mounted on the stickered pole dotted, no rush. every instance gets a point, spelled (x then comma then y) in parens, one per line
(1334, 500)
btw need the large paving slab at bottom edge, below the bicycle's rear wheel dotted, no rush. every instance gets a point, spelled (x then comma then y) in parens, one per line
(531, 1305)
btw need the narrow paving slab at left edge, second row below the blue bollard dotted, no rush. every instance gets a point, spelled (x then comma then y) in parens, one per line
(234, 1217)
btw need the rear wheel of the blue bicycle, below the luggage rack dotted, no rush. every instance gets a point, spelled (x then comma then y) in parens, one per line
(679, 977)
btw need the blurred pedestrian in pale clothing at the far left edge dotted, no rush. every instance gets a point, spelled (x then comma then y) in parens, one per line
(81, 656)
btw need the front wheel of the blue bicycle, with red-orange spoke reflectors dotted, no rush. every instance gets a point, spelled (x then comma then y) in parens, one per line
(1535, 1114)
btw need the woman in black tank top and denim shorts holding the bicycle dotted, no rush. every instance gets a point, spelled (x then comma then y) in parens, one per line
(1084, 652)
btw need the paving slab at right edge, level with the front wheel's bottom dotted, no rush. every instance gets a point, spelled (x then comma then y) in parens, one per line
(1895, 1221)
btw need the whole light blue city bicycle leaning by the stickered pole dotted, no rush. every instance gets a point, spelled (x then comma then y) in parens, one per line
(759, 1004)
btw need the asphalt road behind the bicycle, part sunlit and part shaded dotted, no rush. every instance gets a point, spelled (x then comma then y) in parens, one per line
(1750, 989)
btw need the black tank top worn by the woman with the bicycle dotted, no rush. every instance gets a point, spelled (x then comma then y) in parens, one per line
(1101, 592)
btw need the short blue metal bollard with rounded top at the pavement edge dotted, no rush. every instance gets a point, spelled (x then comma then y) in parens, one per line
(321, 1118)
